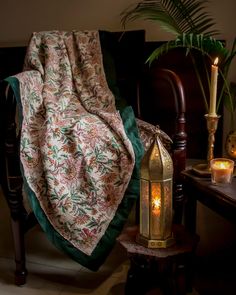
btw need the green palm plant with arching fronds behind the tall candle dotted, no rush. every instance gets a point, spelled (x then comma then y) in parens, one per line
(191, 26)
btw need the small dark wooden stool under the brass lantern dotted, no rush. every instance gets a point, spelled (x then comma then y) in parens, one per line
(170, 269)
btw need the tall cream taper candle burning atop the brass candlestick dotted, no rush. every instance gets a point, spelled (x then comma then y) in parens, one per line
(213, 89)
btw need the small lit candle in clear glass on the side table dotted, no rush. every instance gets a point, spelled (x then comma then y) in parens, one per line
(221, 170)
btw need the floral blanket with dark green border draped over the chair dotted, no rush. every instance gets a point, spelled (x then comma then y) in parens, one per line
(80, 155)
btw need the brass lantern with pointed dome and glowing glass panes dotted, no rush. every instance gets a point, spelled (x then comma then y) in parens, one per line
(156, 197)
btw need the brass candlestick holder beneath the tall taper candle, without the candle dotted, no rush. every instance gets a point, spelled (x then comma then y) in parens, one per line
(212, 123)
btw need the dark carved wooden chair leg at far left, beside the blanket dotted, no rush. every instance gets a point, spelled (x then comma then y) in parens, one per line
(12, 186)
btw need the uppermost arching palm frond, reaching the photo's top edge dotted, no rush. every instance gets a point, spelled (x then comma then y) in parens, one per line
(174, 16)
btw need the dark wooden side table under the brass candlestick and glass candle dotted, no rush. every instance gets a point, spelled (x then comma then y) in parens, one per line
(221, 199)
